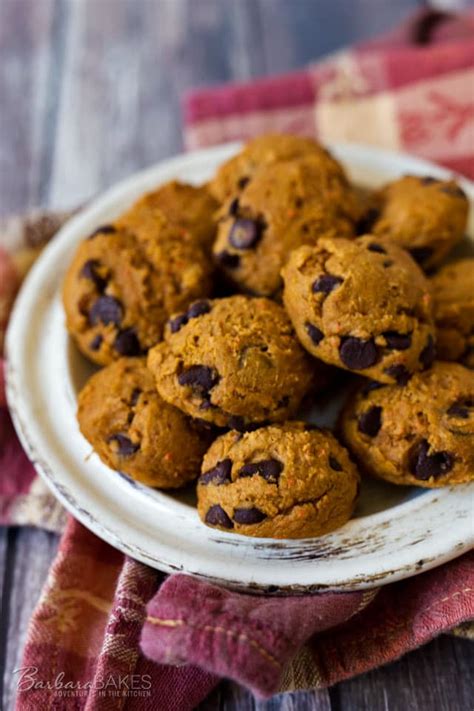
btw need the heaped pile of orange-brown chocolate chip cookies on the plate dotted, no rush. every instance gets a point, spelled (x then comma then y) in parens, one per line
(217, 312)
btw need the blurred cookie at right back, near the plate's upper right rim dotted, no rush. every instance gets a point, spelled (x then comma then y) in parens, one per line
(426, 216)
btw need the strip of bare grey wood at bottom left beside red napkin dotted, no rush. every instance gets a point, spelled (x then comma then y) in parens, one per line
(30, 554)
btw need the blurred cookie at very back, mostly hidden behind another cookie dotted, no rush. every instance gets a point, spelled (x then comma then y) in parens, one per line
(265, 150)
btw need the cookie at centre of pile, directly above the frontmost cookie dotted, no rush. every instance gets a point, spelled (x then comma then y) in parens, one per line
(232, 362)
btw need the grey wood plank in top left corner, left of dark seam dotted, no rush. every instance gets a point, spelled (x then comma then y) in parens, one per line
(27, 54)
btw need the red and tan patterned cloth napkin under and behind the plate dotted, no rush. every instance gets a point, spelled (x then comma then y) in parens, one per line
(107, 631)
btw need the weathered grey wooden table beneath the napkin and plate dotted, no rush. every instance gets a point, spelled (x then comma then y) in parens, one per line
(89, 93)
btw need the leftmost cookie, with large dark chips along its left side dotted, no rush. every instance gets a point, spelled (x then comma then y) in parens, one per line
(121, 287)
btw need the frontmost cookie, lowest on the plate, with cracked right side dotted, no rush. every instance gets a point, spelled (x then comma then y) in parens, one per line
(281, 481)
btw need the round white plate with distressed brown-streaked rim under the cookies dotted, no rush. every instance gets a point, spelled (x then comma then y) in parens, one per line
(397, 532)
